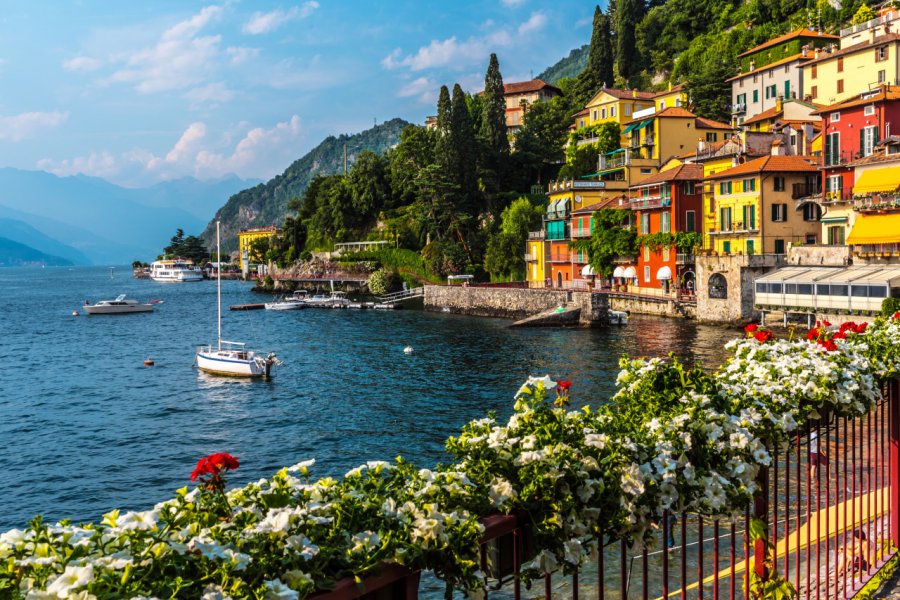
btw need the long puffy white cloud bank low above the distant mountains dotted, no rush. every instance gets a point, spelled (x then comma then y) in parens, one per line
(259, 153)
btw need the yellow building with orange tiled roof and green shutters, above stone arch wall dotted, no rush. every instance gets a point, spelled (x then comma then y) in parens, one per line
(753, 208)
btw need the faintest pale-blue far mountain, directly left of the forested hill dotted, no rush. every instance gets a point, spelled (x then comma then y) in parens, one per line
(200, 198)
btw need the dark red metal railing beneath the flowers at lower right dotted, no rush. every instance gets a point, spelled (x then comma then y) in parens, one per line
(830, 504)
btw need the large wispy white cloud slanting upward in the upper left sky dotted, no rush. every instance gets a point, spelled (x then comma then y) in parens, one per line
(179, 59)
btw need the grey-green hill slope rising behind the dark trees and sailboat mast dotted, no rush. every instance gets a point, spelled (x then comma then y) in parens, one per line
(266, 203)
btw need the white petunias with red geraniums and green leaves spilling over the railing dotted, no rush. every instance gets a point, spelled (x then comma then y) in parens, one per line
(672, 438)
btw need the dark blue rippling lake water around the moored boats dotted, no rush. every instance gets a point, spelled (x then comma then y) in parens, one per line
(85, 427)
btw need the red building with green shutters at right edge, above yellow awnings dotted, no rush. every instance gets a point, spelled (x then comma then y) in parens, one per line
(851, 129)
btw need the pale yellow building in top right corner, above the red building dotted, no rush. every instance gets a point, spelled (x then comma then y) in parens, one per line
(868, 55)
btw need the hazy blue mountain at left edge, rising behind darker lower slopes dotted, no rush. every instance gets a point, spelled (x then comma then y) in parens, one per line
(100, 208)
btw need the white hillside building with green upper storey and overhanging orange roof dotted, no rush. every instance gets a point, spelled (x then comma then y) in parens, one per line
(773, 70)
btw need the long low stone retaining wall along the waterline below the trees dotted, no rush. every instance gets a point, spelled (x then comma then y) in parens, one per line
(514, 303)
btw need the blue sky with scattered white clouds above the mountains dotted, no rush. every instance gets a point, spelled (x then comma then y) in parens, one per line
(143, 92)
